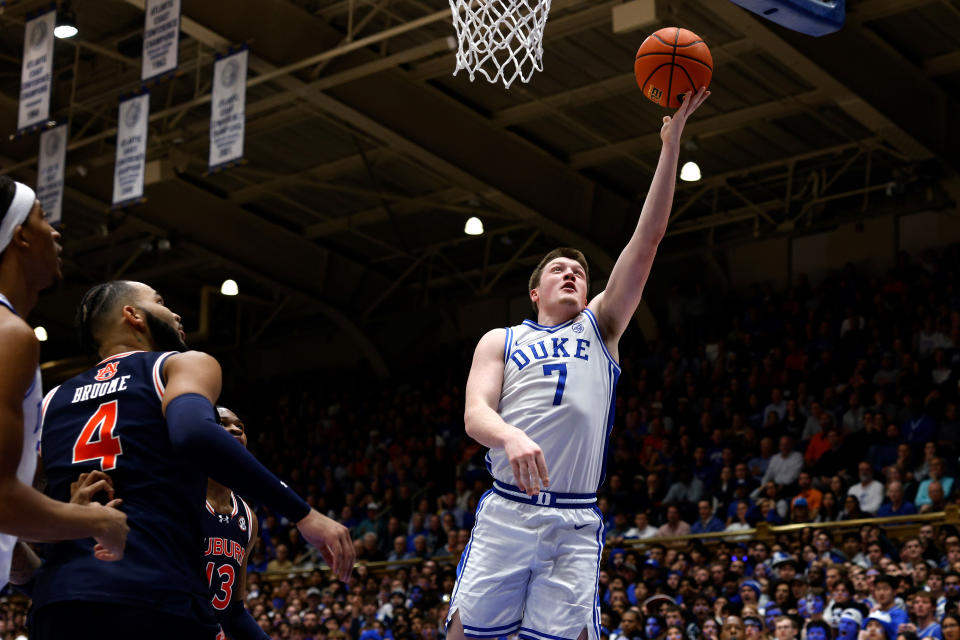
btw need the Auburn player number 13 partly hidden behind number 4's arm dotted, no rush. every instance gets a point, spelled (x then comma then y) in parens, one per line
(230, 530)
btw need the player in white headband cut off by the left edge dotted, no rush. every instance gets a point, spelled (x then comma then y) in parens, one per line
(29, 263)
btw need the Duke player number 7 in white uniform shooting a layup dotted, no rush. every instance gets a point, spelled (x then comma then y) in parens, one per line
(540, 395)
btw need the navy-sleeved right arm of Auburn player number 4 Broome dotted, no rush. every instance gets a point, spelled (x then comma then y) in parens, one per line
(192, 387)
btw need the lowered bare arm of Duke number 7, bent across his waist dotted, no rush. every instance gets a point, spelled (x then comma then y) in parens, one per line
(485, 425)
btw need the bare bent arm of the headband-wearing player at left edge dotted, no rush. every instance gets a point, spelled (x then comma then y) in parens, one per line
(27, 513)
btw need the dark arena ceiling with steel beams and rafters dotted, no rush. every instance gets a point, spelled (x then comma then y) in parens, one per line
(365, 156)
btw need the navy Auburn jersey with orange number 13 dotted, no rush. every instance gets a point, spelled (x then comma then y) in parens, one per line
(226, 537)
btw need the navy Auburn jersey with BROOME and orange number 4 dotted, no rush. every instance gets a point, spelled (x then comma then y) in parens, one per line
(110, 418)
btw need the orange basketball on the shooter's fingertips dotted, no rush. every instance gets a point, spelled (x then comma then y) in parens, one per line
(672, 62)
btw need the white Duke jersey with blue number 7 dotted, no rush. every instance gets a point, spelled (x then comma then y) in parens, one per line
(559, 387)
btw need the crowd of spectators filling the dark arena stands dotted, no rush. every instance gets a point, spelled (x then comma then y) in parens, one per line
(820, 403)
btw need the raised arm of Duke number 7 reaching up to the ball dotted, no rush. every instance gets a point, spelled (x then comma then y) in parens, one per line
(618, 302)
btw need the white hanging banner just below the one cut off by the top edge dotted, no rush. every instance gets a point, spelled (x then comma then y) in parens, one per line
(131, 150)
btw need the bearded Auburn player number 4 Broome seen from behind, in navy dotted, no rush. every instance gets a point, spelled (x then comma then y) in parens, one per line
(145, 416)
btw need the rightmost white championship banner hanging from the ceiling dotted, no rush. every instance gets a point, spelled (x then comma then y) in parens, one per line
(227, 109)
